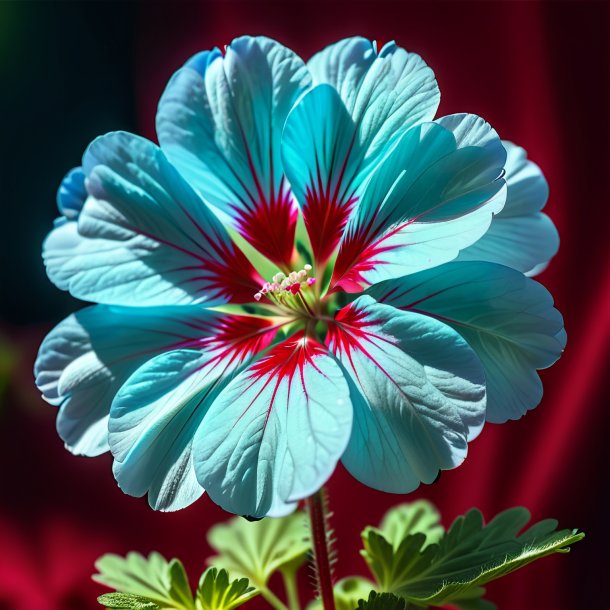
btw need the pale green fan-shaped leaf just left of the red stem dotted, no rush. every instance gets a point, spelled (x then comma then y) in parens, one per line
(255, 550)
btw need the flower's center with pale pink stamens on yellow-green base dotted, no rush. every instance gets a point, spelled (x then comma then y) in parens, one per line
(293, 291)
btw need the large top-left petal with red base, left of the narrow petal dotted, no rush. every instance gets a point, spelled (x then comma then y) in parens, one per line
(220, 121)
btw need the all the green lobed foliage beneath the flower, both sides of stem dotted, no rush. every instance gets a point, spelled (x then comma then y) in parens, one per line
(414, 561)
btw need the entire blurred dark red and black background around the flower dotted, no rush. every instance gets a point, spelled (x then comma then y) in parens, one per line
(538, 72)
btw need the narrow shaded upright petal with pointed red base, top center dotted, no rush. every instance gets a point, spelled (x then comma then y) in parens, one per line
(322, 158)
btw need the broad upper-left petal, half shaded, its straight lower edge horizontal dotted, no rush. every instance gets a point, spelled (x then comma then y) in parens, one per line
(143, 236)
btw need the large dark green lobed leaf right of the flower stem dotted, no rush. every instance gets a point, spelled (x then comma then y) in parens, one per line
(469, 555)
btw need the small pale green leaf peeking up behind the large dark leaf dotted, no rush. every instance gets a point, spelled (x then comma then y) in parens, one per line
(403, 520)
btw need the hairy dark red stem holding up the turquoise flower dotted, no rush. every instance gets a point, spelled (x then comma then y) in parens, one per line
(316, 505)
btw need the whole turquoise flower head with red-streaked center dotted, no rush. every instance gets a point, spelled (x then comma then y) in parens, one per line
(310, 268)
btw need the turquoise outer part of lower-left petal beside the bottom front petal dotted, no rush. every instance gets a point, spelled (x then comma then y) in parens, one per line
(153, 420)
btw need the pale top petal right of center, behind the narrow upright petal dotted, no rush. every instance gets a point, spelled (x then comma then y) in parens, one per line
(386, 93)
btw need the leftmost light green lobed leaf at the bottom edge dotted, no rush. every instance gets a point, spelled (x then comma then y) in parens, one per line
(152, 577)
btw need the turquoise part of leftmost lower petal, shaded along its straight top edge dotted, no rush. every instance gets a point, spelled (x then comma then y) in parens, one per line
(85, 359)
